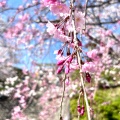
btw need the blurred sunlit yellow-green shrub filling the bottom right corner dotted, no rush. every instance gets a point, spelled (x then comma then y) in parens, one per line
(108, 104)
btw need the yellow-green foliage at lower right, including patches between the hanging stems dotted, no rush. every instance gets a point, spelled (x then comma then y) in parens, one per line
(106, 105)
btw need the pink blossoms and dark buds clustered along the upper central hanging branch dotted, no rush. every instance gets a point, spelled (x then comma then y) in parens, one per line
(64, 31)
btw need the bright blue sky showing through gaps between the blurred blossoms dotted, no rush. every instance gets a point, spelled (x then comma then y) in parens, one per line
(48, 57)
